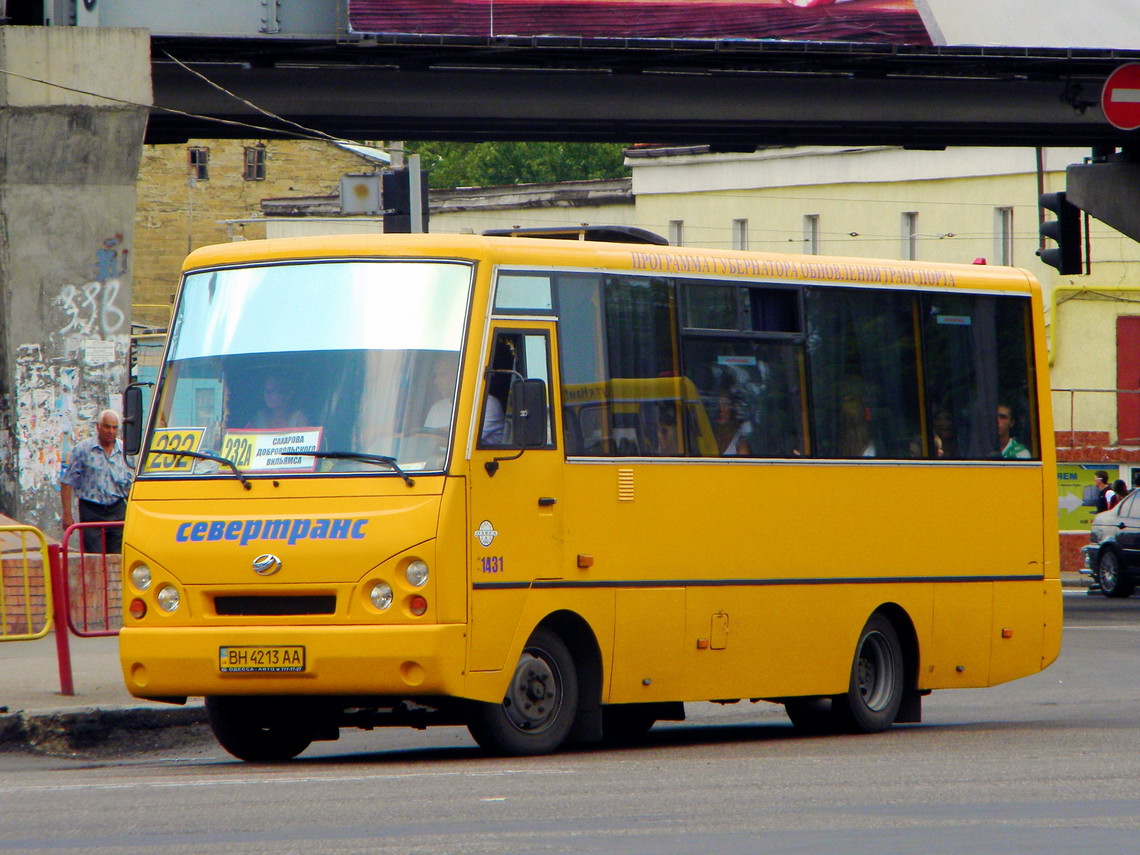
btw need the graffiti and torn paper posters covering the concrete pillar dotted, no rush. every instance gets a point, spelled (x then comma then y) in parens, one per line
(63, 385)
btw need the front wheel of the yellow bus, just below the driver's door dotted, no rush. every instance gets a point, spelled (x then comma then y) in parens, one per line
(540, 707)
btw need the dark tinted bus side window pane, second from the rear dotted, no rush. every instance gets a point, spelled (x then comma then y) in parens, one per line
(864, 368)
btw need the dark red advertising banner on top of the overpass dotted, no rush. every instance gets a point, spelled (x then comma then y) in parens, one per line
(887, 22)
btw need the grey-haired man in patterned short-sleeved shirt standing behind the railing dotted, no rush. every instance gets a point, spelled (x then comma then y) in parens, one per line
(99, 475)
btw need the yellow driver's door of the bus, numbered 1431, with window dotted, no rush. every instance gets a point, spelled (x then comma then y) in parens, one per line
(516, 494)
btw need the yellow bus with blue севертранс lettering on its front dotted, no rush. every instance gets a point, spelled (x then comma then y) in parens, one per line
(553, 490)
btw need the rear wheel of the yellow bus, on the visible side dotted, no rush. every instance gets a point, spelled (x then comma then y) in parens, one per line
(877, 681)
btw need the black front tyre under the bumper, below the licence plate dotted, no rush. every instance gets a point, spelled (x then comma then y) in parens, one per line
(260, 730)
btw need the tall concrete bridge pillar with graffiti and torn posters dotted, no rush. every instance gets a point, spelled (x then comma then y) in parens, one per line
(69, 161)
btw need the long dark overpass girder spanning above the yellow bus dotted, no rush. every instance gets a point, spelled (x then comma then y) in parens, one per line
(735, 95)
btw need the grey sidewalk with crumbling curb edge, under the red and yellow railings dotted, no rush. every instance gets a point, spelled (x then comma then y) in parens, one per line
(35, 714)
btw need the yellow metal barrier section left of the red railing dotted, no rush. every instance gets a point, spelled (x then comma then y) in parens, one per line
(26, 591)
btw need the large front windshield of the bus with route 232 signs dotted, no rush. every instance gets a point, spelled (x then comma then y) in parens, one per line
(312, 368)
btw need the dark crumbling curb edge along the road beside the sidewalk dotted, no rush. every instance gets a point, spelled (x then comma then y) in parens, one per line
(93, 729)
